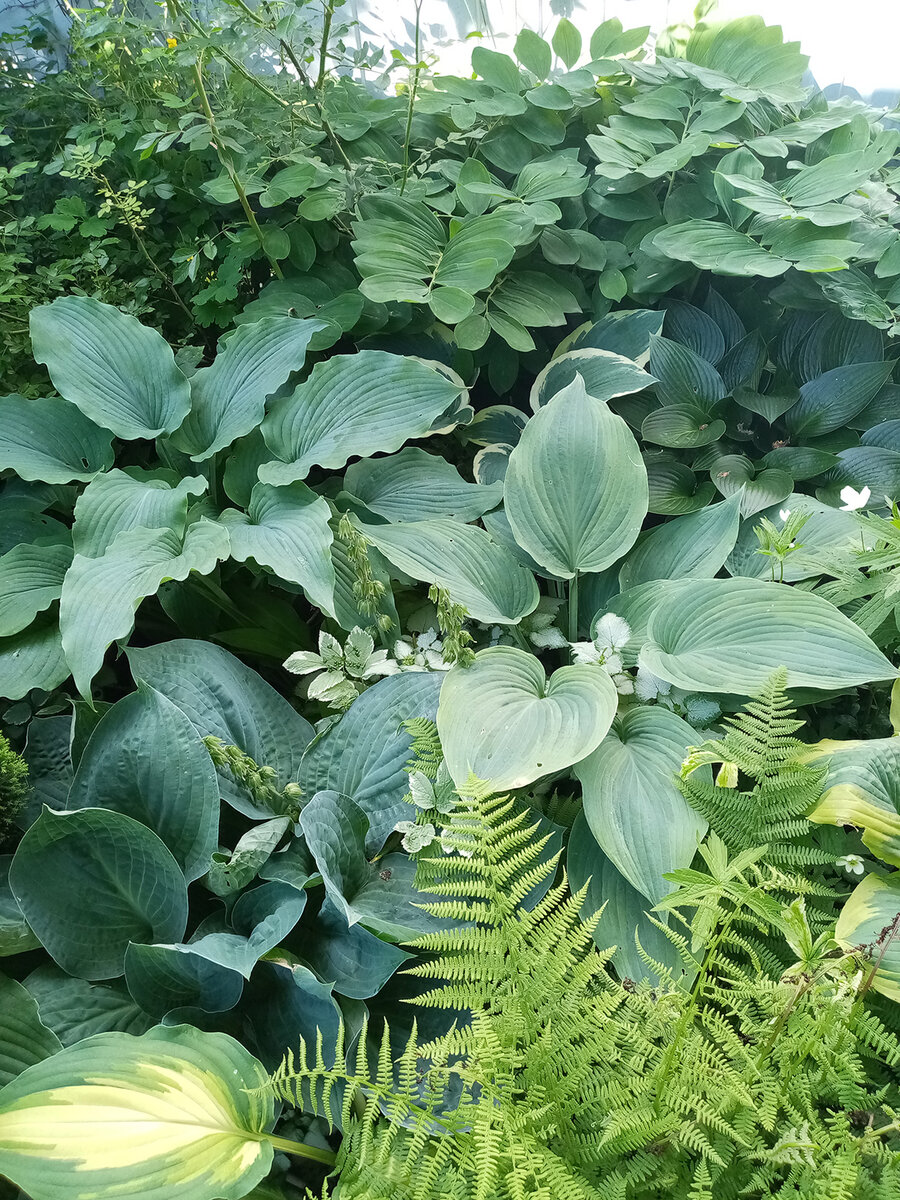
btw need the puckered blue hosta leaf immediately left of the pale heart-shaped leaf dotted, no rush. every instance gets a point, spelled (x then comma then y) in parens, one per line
(365, 755)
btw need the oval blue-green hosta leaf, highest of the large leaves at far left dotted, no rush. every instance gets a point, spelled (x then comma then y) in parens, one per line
(121, 374)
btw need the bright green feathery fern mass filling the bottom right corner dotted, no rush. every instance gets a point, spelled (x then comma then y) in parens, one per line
(575, 1087)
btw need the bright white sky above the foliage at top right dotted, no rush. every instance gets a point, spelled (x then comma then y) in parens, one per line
(856, 44)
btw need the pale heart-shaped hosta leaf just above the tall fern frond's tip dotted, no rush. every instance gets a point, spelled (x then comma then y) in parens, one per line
(505, 722)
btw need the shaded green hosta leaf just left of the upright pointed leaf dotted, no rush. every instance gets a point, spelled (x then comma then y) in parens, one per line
(415, 487)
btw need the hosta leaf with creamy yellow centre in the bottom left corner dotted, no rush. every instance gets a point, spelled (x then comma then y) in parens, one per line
(176, 1112)
